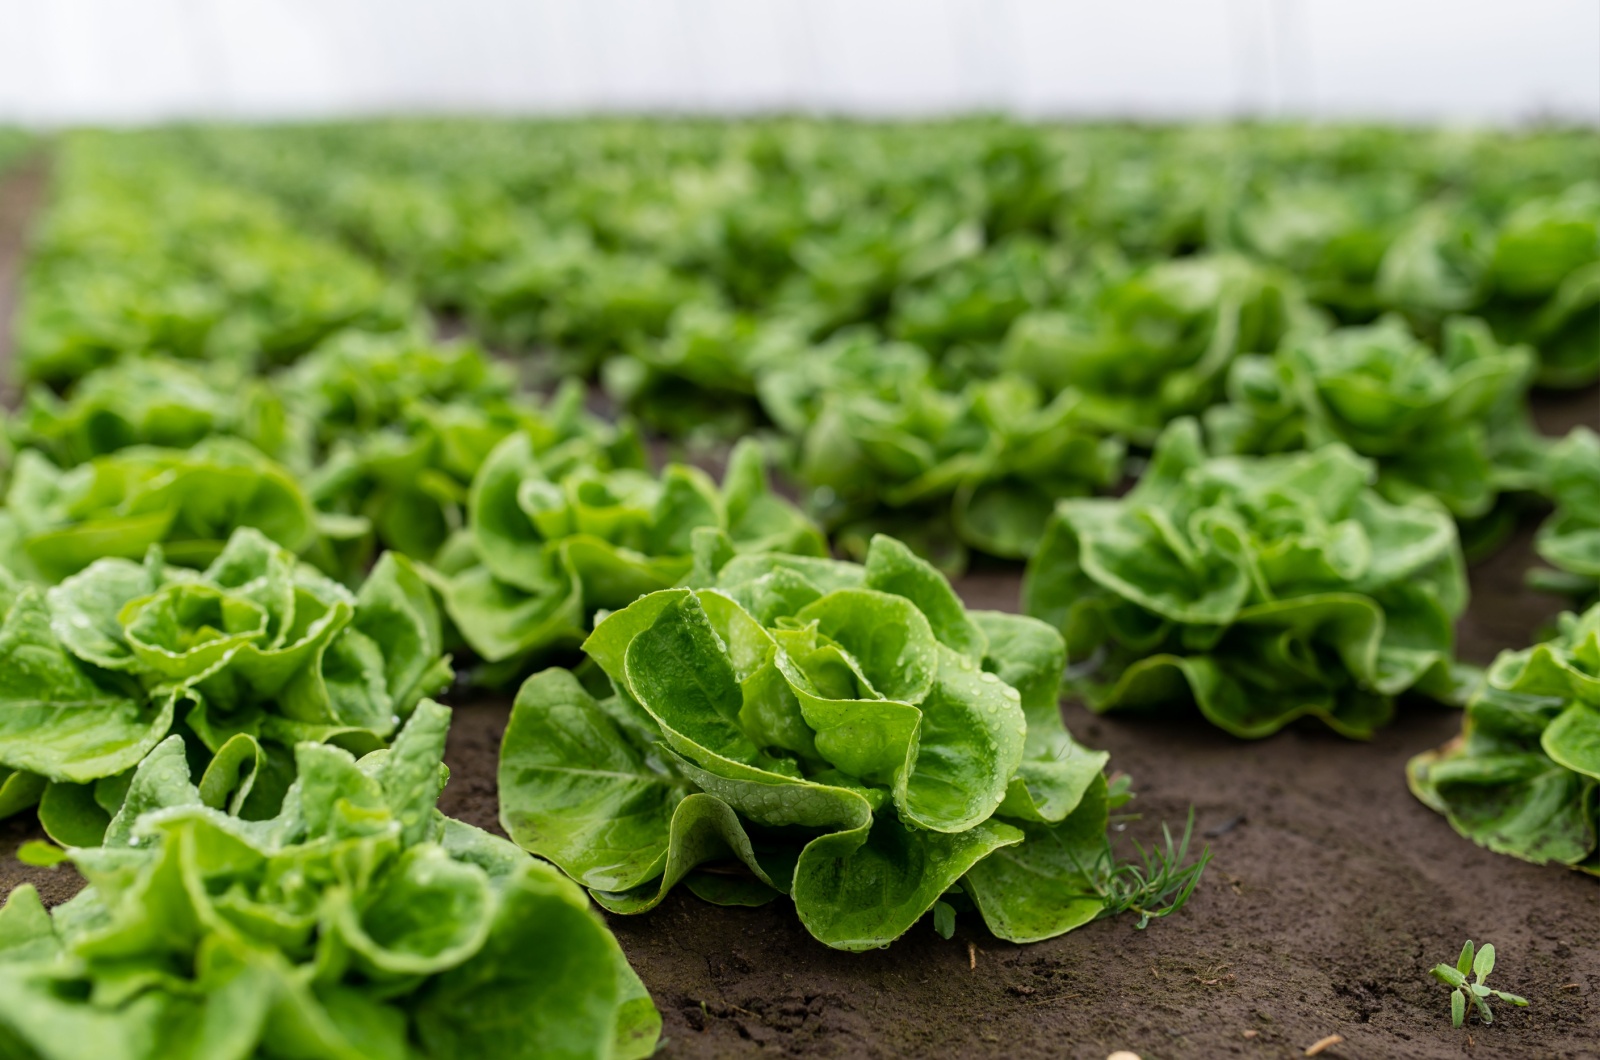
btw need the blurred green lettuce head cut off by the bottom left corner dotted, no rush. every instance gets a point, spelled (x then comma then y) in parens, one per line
(356, 923)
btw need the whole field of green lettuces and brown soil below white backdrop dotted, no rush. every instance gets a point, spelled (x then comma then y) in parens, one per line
(610, 588)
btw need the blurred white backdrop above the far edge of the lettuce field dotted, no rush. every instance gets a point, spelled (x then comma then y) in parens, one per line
(1436, 60)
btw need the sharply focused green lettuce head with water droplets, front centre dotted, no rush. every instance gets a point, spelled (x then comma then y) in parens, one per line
(847, 736)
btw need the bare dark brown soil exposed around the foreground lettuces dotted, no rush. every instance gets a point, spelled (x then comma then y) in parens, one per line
(1330, 896)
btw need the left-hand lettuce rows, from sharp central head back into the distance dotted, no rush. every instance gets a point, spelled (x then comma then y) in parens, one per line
(231, 582)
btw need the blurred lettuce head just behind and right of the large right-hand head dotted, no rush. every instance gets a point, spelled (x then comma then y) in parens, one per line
(1452, 425)
